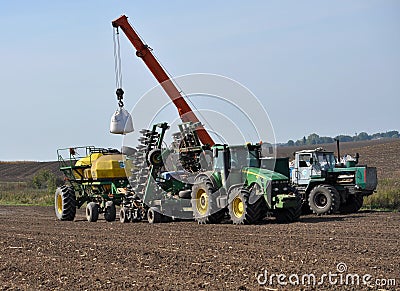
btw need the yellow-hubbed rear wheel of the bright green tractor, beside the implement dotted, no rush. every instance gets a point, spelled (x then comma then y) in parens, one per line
(204, 205)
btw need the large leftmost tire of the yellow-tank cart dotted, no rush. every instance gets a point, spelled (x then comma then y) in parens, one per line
(65, 203)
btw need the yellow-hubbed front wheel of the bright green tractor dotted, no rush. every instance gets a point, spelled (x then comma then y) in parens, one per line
(241, 211)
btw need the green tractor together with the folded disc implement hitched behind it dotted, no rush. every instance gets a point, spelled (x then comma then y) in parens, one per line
(188, 180)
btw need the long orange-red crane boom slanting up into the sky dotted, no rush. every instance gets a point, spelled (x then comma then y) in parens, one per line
(144, 52)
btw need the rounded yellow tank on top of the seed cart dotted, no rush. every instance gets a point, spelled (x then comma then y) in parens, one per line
(109, 166)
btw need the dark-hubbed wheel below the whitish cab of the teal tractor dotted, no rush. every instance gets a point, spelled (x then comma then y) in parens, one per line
(324, 199)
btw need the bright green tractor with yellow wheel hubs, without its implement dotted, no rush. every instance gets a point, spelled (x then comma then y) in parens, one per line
(242, 184)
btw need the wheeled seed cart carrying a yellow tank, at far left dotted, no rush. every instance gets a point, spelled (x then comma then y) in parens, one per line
(95, 176)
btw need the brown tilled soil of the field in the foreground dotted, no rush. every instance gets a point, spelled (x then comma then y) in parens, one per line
(39, 253)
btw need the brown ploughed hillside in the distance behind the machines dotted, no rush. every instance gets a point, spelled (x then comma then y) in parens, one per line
(383, 154)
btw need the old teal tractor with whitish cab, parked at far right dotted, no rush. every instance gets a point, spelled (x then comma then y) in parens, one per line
(329, 187)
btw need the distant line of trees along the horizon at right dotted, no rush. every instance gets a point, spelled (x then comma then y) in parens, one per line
(314, 138)
